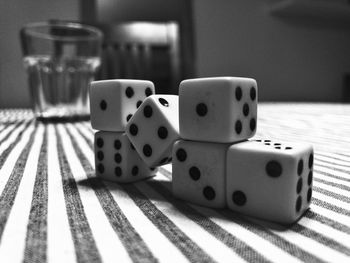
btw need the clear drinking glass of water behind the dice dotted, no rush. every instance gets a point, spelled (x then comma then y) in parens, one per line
(61, 59)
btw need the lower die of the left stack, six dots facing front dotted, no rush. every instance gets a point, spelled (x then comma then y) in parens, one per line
(117, 160)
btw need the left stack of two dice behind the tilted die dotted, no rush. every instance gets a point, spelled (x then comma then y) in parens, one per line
(112, 104)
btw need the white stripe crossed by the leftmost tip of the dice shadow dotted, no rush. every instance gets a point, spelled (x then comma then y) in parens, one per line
(100, 226)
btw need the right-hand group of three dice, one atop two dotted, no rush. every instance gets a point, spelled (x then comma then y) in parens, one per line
(215, 165)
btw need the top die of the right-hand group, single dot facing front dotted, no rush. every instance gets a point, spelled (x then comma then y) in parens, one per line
(220, 109)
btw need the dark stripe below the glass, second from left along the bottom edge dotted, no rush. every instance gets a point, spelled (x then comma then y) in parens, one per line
(84, 243)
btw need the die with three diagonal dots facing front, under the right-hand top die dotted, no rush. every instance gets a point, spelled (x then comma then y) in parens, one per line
(199, 172)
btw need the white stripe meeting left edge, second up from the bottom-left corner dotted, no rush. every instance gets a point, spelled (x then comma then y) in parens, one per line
(11, 160)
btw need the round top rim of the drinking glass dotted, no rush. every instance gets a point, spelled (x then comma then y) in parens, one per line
(30, 29)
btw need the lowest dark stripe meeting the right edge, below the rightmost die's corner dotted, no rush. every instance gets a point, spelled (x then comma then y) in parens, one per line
(320, 239)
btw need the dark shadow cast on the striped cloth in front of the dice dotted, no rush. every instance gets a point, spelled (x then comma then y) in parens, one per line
(160, 190)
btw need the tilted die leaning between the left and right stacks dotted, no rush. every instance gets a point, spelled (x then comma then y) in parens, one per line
(154, 128)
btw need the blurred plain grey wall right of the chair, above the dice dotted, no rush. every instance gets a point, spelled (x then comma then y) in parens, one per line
(293, 58)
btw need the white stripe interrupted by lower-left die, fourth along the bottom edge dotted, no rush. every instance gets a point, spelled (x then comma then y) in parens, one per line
(151, 235)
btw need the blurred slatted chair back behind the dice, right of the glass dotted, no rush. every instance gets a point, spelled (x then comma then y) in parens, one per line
(143, 50)
